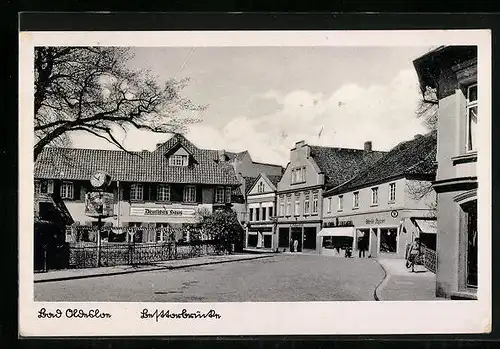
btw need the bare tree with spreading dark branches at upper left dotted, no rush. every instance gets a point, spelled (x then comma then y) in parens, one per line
(90, 89)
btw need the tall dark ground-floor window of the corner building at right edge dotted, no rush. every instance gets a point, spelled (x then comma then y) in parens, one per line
(470, 210)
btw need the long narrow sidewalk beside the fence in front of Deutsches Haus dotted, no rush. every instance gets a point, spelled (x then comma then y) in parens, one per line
(69, 274)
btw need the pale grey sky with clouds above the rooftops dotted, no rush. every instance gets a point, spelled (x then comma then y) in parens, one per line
(264, 99)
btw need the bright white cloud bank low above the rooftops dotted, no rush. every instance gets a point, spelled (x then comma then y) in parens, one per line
(349, 116)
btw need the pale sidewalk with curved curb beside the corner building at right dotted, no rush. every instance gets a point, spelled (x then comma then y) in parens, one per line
(400, 284)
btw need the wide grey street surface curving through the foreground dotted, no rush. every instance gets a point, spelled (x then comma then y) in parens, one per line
(281, 278)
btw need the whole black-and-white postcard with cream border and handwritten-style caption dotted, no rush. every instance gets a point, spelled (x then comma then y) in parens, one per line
(254, 183)
